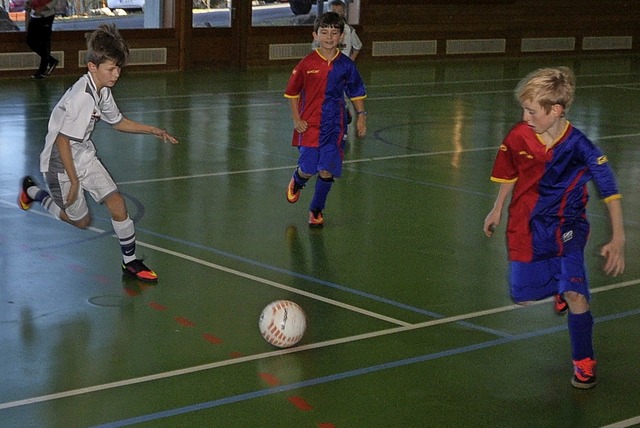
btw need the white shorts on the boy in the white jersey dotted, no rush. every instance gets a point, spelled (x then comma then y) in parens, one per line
(95, 179)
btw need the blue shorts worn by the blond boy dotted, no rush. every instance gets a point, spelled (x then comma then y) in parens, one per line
(541, 279)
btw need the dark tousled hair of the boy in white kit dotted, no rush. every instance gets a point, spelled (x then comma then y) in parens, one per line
(106, 44)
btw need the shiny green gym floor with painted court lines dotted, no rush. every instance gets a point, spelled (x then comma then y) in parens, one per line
(409, 320)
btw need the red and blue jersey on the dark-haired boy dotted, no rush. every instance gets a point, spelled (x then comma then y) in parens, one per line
(320, 84)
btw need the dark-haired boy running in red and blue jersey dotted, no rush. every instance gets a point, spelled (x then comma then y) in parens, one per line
(316, 91)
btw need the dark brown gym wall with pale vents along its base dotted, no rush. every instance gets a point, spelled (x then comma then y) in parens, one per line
(390, 30)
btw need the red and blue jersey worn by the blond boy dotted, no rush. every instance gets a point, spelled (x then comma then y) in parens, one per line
(547, 213)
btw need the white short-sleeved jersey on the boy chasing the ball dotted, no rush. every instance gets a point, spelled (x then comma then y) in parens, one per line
(75, 116)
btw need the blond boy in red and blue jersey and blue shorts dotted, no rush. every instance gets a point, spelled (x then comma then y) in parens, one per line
(544, 163)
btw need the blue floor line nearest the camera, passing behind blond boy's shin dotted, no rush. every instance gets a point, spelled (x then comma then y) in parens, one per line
(352, 373)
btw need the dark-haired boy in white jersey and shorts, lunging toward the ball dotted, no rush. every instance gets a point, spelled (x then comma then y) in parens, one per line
(69, 163)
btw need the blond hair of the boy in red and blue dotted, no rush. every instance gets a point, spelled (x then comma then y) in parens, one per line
(547, 87)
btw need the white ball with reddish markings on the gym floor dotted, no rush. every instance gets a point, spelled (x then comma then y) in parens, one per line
(282, 323)
